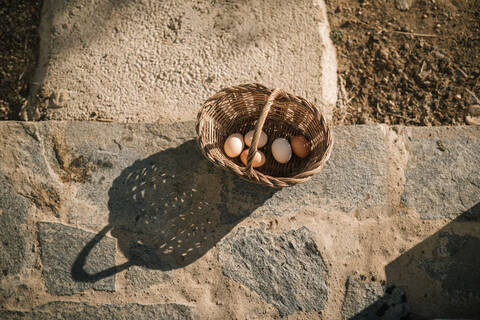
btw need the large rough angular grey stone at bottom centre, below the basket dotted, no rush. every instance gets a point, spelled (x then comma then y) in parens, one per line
(286, 270)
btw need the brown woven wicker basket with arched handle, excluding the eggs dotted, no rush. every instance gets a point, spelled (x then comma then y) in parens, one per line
(279, 114)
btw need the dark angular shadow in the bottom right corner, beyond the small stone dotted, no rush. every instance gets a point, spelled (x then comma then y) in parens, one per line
(441, 274)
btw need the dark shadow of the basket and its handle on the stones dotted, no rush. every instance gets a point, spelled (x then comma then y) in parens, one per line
(169, 209)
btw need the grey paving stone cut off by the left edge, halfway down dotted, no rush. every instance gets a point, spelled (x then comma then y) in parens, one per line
(13, 241)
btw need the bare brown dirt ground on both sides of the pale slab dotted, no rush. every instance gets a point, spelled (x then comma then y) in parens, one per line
(413, 67)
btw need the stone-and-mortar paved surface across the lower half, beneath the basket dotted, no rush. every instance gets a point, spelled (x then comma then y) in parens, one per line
(130, 218)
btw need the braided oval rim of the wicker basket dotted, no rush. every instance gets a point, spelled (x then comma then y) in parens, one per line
(253, 175)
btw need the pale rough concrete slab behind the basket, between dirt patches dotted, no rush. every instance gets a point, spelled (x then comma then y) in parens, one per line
(155, 62)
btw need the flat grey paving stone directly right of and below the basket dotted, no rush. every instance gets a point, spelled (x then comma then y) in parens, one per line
(353, 177)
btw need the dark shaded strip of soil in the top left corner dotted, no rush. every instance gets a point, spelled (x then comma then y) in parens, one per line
(18, 53)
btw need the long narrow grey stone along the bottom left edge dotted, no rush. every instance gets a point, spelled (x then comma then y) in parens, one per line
(82, 311)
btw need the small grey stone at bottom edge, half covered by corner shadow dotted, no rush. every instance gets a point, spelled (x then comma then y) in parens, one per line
(366, 299)
